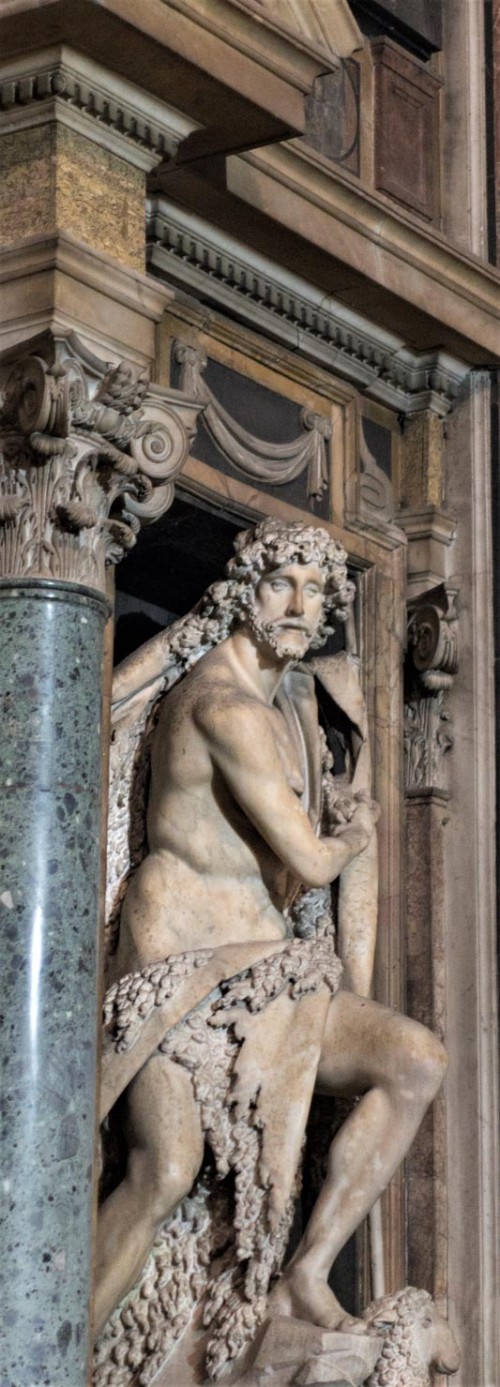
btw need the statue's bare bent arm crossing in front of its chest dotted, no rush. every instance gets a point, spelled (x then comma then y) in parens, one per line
(244, 750)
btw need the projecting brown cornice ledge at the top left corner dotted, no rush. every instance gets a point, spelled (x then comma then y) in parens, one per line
(190, 52)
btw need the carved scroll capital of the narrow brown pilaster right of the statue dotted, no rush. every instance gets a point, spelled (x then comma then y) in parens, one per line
(433, 664)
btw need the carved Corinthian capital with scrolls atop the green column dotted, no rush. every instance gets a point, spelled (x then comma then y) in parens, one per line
(88, 453)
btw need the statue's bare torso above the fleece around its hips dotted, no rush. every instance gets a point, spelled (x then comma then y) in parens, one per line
(209, 879)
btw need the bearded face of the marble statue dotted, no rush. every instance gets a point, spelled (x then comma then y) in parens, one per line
(288, 610)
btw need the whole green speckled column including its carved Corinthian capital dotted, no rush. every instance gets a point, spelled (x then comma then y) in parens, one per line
(88, 453)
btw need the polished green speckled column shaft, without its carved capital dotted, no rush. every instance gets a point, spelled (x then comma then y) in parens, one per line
(49, 897)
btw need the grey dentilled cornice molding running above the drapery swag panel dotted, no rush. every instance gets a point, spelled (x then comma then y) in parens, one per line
(219, 270)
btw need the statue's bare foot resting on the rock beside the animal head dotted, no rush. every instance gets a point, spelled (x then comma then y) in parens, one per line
(303, 1296)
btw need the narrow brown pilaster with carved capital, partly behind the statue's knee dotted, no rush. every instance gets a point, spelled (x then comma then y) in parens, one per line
(431, 668)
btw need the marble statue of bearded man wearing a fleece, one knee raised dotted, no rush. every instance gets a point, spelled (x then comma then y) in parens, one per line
(228, 1003)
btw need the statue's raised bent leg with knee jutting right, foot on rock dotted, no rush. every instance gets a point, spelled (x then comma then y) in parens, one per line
(398, 1066)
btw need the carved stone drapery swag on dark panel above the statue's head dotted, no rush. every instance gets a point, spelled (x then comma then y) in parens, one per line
(253, 457)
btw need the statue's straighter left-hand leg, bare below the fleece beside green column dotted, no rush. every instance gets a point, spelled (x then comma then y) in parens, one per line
(165, 1155)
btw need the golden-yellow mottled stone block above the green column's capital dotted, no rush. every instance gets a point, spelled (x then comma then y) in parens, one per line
(56, 180)
